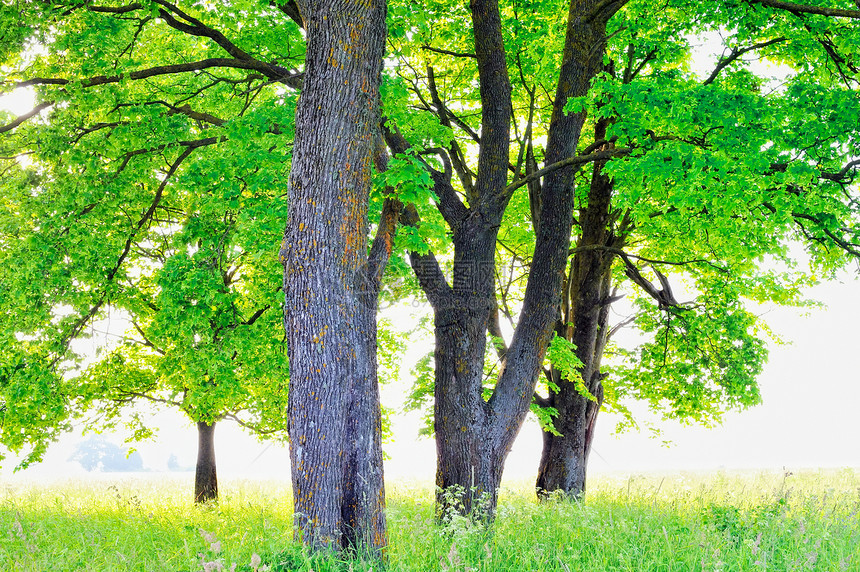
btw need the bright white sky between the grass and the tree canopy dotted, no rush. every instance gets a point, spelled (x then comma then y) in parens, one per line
(808, 419)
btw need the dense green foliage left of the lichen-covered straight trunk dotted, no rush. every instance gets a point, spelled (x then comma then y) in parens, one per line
(149, 196)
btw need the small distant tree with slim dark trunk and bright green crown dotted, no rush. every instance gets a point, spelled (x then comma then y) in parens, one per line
(206, 332)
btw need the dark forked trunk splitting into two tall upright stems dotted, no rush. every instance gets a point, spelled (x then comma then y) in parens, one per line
(474, 436)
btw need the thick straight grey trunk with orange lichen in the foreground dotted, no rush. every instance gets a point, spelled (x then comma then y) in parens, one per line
(330, 293)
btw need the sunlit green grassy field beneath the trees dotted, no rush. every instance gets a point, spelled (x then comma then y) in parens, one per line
(722, 522)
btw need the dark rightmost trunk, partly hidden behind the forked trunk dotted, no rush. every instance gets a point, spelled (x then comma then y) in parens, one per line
(585, 323)
